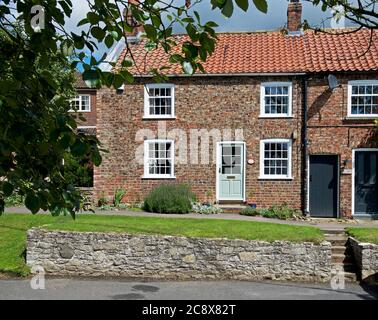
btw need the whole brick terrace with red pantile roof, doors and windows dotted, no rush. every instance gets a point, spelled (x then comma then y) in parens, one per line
(278, 118)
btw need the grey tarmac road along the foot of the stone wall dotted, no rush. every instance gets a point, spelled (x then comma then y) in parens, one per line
(226, 290)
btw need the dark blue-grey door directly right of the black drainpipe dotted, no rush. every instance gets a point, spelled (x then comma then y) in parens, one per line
(324, 185)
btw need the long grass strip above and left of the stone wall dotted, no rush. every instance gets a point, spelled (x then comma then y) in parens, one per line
(13, 229)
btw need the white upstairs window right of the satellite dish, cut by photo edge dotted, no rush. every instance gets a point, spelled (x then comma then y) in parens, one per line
(363, 99)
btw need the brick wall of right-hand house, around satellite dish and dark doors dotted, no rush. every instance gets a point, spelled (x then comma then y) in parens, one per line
(330, 132)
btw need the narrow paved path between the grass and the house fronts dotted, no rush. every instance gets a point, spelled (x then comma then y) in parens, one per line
(321, 223)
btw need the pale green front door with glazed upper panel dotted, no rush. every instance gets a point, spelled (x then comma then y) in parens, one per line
(231, 171)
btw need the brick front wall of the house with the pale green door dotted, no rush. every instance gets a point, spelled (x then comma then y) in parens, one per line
(208, 103)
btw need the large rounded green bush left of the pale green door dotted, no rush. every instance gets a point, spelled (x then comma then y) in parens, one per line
(169, 199)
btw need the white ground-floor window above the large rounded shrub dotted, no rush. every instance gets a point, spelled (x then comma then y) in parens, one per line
(159, 159)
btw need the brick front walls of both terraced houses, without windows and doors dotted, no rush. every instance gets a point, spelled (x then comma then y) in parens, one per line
(232, 103)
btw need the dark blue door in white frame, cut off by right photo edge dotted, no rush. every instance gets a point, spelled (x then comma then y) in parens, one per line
(365, 182)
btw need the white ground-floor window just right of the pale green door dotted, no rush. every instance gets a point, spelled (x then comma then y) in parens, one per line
(275, 159)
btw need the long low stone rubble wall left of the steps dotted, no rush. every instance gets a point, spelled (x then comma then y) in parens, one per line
(166, 257)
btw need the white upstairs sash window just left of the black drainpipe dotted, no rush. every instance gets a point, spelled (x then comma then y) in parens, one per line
(276, 99)
